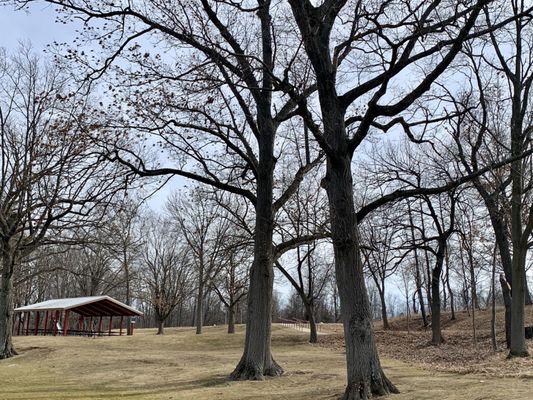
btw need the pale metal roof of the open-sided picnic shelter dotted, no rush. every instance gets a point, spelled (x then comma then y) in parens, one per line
(87, 306)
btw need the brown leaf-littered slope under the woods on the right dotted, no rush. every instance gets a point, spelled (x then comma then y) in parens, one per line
(459, 353)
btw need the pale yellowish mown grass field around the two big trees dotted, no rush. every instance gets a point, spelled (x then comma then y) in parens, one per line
(182, 365)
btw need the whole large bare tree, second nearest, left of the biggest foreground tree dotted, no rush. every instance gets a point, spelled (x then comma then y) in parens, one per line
(215, 113)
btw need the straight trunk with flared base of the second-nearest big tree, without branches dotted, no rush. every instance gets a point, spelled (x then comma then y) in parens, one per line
(257, 361)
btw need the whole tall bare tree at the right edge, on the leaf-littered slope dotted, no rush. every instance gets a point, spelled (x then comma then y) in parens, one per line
(501, 127)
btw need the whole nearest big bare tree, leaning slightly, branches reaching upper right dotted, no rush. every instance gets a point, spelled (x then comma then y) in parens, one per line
(394, 49)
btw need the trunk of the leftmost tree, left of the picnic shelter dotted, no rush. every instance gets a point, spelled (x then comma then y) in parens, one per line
(6, 307)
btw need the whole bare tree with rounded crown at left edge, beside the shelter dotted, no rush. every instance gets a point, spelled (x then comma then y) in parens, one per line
(51, 177)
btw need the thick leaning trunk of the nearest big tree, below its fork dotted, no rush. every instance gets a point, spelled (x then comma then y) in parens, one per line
(365, 375)
